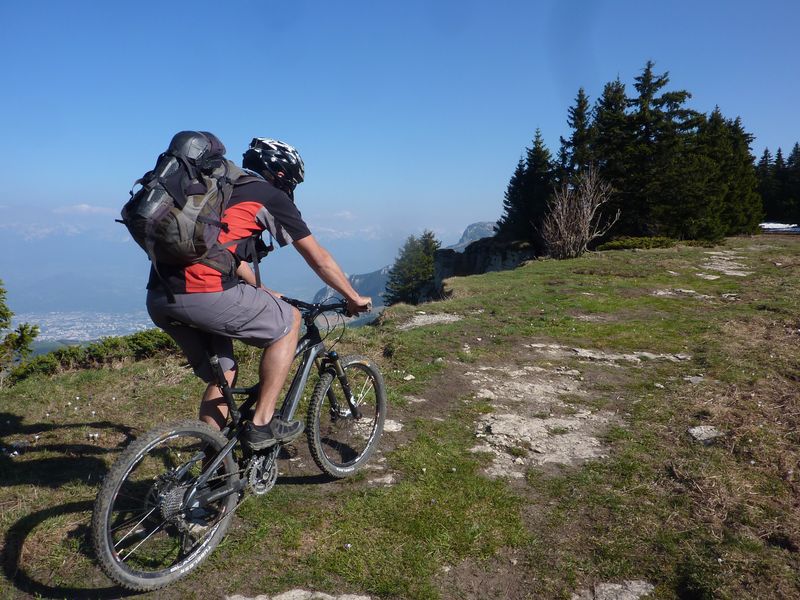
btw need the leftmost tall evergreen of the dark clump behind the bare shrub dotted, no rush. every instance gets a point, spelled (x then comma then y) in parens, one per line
(527, 196)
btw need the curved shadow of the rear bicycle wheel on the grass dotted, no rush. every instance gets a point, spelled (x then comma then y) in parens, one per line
(24, 582)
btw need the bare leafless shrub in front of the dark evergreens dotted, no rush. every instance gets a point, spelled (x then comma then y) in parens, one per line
(574, 217)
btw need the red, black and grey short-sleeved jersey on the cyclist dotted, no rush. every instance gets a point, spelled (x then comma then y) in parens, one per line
(253, 208)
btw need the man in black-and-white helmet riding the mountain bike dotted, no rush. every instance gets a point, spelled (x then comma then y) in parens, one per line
(213, 307)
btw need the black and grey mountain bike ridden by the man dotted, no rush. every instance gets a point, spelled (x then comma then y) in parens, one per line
(168, 500)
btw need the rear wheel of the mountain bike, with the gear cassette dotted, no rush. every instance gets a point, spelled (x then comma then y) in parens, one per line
(146, 531)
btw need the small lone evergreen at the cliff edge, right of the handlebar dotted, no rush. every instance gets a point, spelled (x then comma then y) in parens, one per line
(411, 278)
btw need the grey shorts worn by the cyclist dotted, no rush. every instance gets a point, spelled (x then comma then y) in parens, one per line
(209, 321)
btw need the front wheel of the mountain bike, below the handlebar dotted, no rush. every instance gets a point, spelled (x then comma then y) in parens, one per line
(341, 442)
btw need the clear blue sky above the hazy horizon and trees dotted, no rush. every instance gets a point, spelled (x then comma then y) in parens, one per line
(409, 115)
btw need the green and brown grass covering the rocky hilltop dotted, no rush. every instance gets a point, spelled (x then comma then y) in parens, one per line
(697, 521)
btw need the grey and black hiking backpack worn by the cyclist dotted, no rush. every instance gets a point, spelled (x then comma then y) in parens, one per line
(176, 215)
